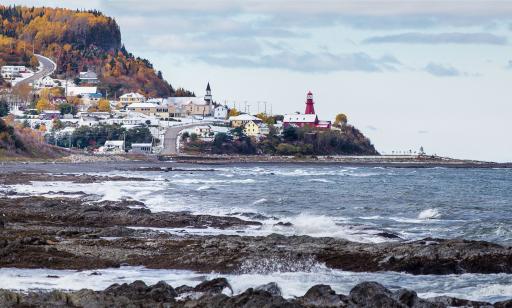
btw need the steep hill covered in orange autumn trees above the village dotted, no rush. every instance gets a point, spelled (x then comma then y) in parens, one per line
(77, 41)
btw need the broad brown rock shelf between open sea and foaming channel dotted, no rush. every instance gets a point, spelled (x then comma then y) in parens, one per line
(73, 233)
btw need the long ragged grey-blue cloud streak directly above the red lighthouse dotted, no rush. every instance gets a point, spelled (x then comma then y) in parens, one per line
(319, 62)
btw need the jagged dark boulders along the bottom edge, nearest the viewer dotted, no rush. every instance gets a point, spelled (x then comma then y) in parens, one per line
(218, 293)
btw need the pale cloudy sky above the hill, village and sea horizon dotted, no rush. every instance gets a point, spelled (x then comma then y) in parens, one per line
(407, 73)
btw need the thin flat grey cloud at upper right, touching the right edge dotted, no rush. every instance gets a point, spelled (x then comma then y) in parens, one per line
(439, 38)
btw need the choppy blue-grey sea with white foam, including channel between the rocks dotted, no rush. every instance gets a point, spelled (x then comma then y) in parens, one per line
(354, 203)
